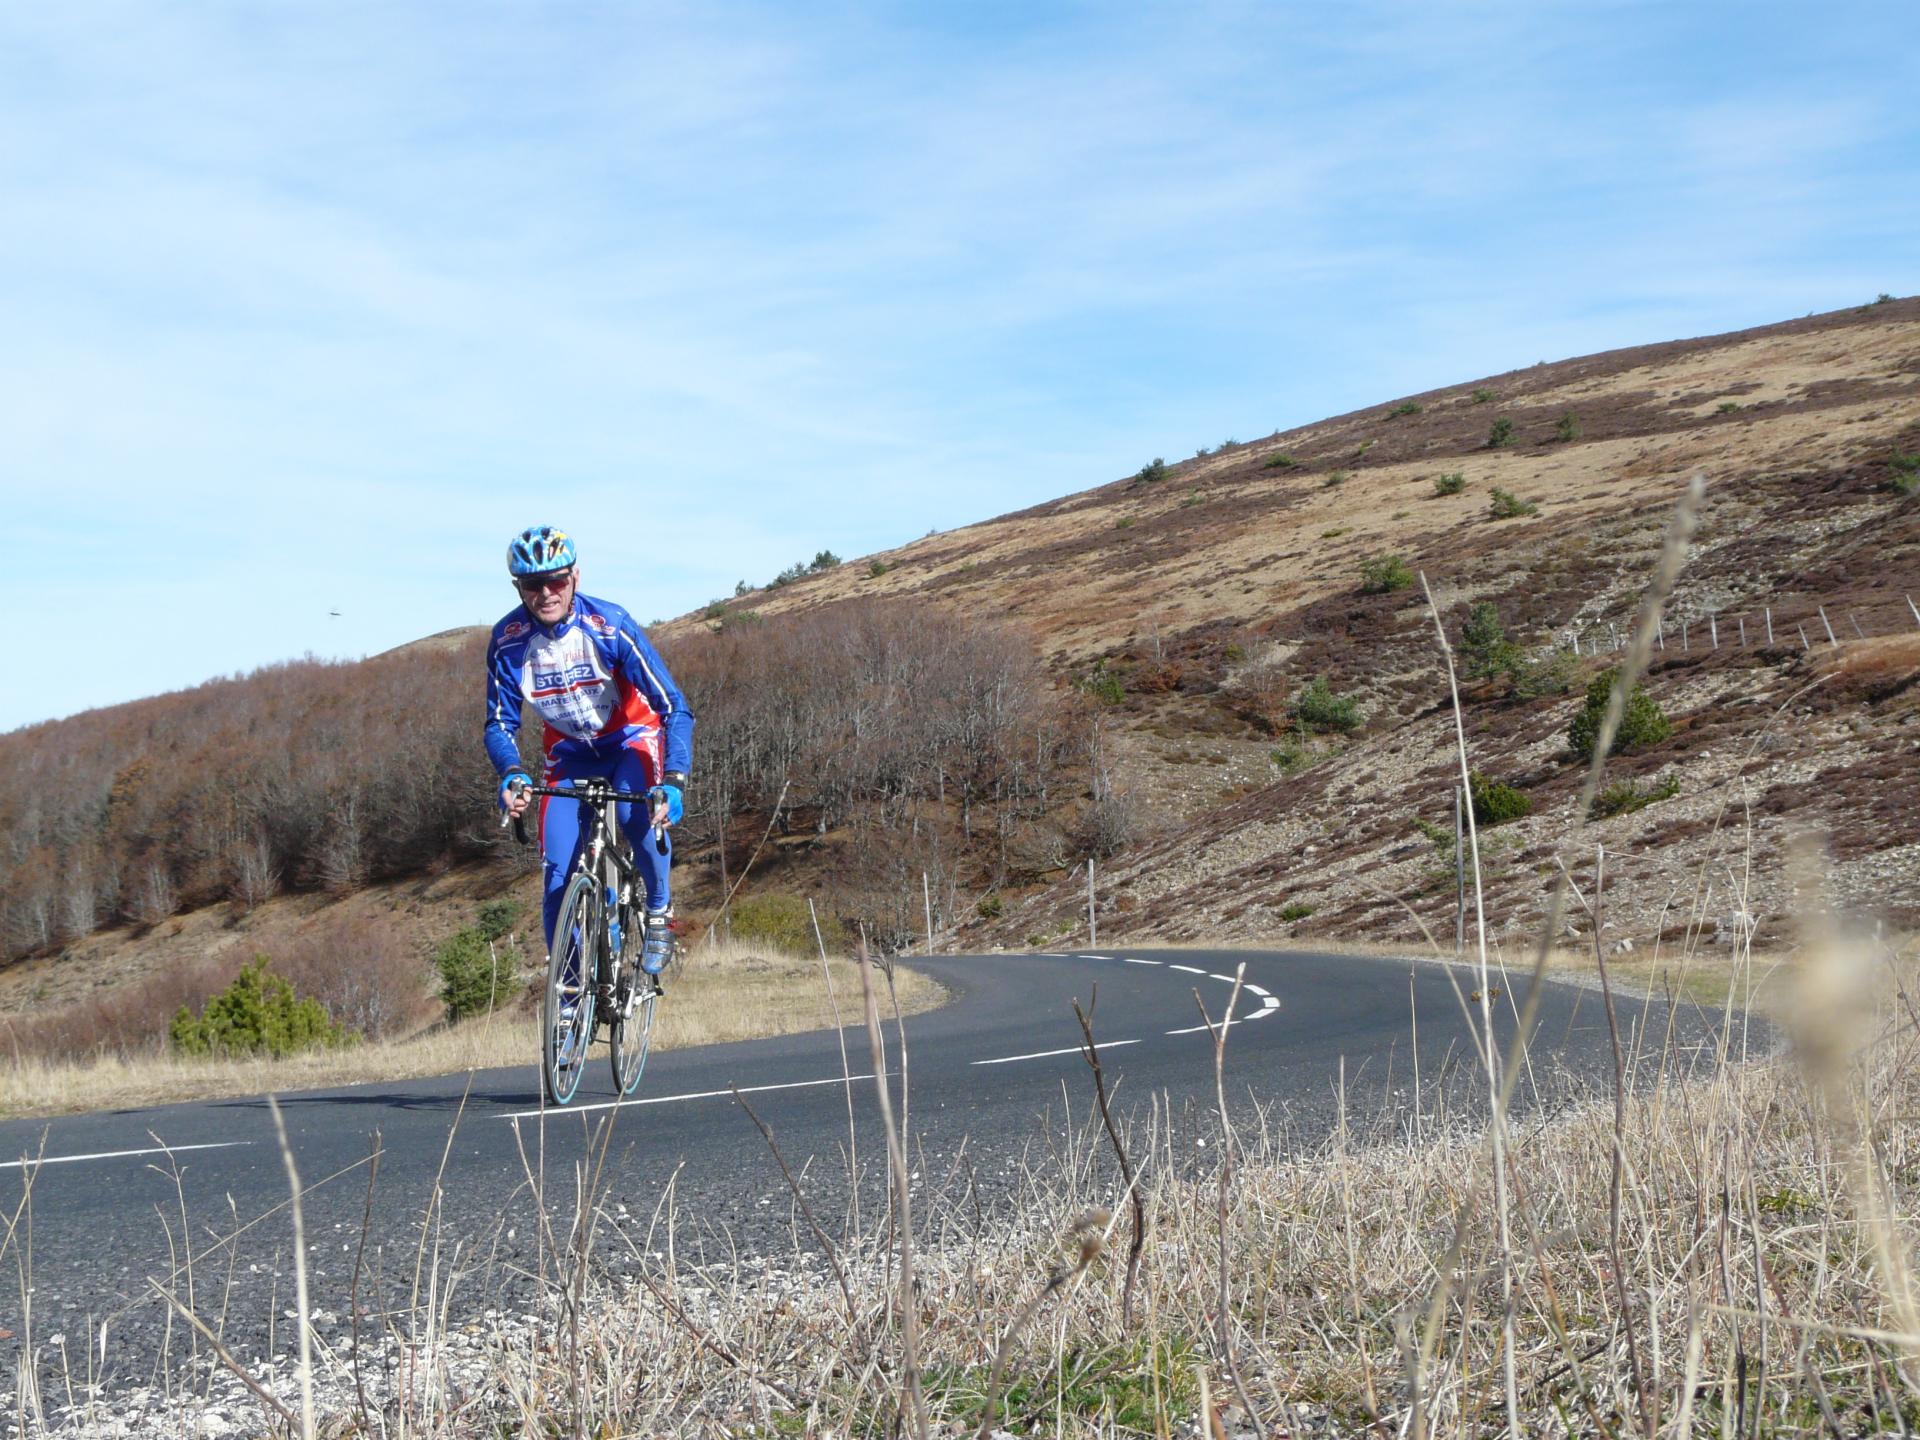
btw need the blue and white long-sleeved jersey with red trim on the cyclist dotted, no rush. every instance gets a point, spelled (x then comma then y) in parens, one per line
(596, 683)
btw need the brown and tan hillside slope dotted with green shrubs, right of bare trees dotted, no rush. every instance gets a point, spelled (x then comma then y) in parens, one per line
(1216, 592)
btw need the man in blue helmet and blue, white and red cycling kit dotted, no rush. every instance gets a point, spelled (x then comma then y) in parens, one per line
(612, 713)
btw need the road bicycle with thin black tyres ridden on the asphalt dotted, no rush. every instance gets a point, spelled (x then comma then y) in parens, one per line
(594, 976)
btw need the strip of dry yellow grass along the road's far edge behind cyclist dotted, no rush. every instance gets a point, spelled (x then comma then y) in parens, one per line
(721, 994)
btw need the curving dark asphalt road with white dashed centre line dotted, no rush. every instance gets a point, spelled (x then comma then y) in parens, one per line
(996, 1076)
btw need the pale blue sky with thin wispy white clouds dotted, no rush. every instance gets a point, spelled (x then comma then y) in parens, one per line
(310, 306)
